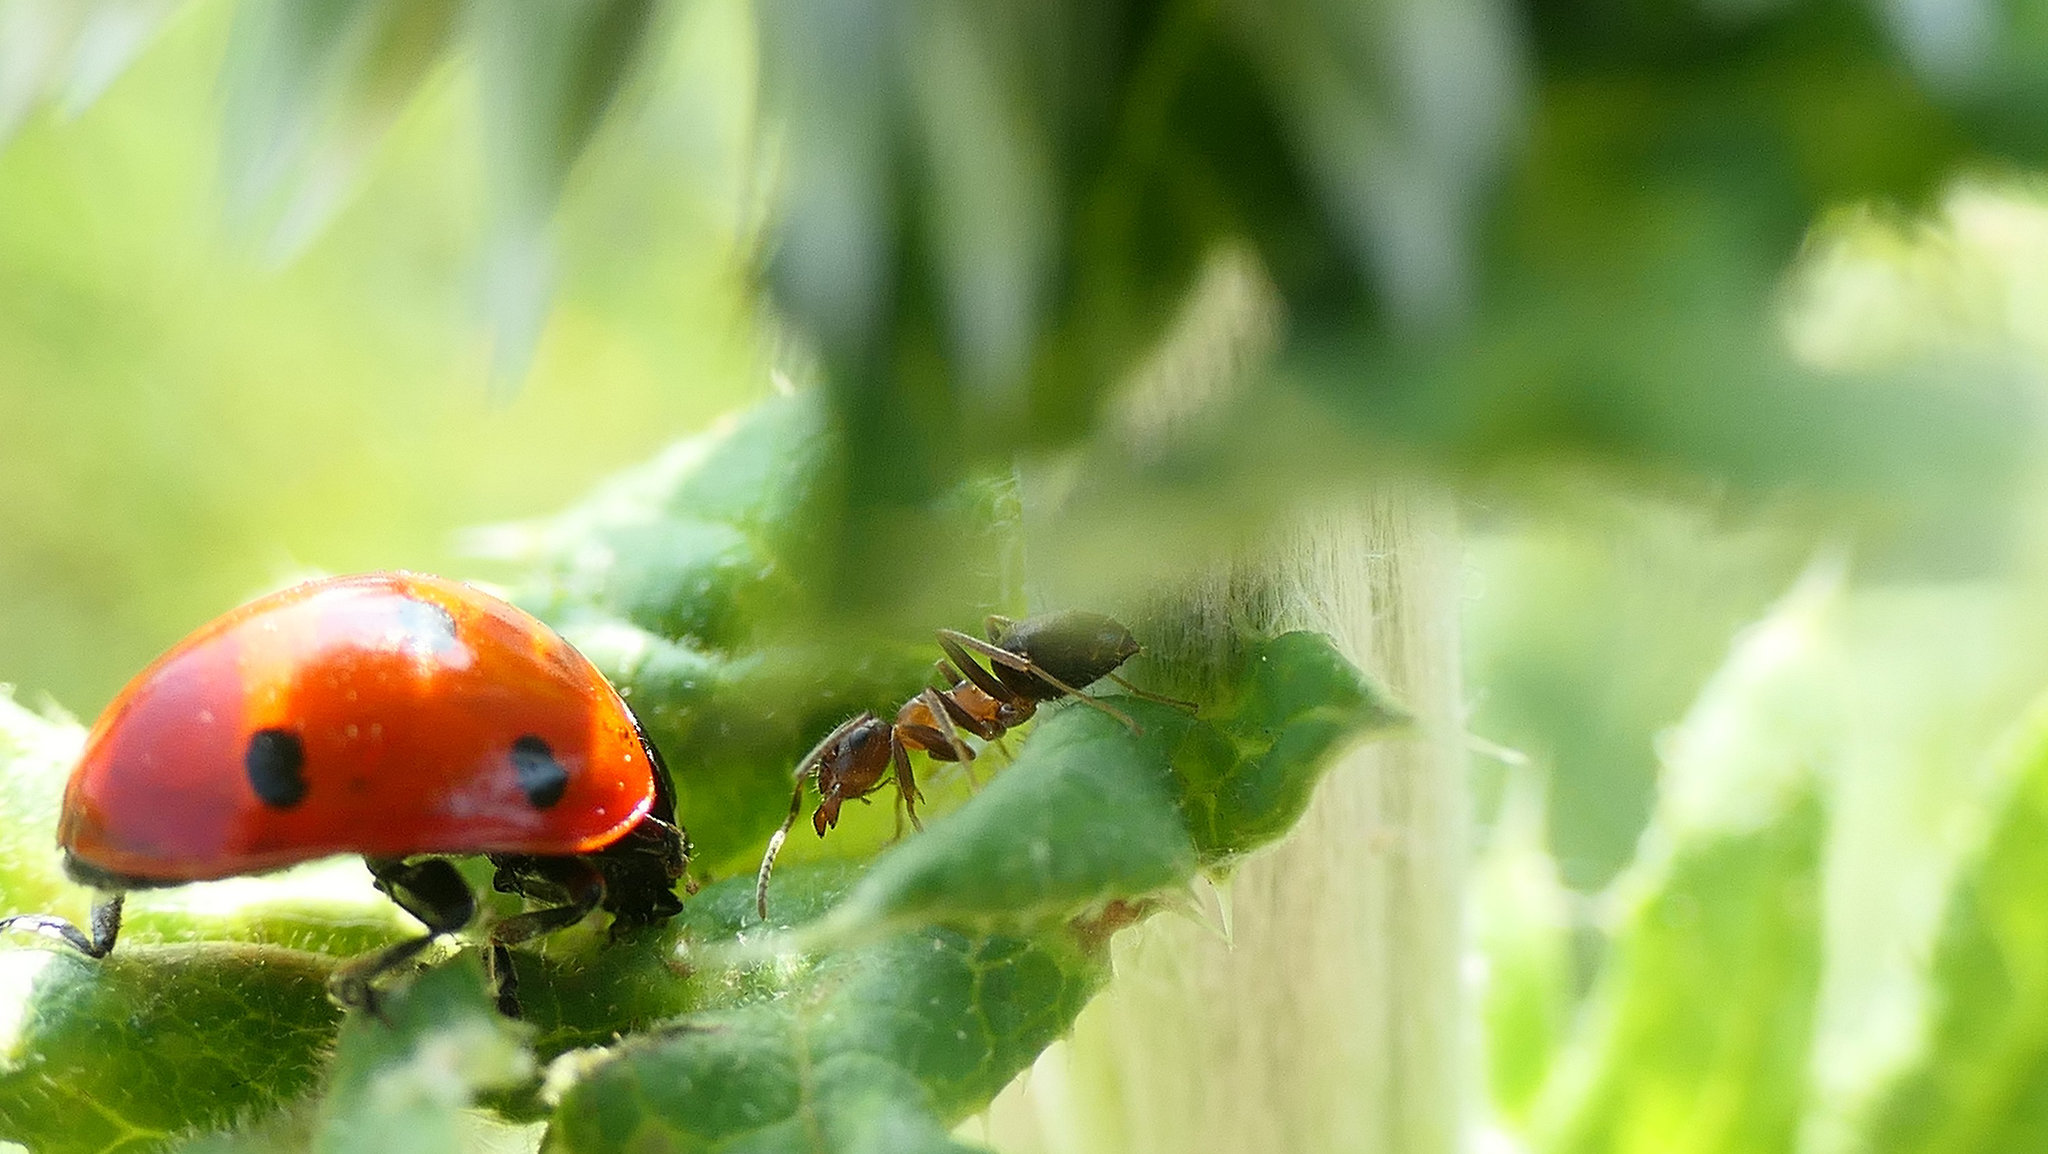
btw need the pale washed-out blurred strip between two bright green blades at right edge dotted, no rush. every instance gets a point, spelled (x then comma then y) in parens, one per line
(1930, 682)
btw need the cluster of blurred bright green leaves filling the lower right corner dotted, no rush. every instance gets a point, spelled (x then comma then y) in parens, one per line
(1830, 938)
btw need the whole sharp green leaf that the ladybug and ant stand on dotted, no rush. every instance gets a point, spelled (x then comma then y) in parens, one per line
(906, 999)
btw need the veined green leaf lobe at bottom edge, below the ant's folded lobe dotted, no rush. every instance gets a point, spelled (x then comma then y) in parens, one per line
(873, 1048)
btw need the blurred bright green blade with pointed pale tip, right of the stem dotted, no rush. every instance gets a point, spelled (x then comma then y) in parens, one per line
(1701, 1020)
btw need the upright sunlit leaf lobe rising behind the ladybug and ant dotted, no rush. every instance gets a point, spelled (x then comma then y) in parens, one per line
(701, 583)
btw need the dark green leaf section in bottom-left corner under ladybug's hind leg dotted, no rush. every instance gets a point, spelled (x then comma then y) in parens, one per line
(230, 1030)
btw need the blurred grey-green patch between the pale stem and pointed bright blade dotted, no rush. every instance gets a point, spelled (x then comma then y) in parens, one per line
(1594, 632)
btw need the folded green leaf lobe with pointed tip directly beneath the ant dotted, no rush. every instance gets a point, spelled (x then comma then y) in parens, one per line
(1093, 813)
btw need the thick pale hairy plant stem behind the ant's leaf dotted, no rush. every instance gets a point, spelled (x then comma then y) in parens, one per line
(1330, 1020)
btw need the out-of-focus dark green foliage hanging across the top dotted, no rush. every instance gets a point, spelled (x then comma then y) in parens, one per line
(1502, 241)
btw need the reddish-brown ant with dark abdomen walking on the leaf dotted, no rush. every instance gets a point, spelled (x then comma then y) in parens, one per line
(1029, 663)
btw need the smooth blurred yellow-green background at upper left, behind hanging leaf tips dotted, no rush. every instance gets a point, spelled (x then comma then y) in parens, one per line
(187, 419)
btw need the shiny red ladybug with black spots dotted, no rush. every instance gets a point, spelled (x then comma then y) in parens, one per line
(400, 716)
